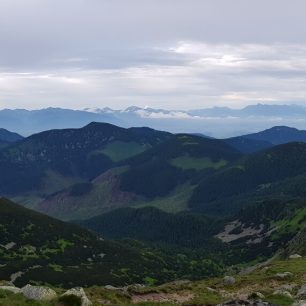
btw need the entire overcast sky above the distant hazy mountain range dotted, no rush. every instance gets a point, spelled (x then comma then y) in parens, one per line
(175, 54)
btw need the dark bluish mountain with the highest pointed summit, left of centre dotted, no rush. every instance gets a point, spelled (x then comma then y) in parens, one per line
(78, 153)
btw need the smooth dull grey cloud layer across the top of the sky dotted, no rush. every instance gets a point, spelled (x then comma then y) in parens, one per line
(33, 31)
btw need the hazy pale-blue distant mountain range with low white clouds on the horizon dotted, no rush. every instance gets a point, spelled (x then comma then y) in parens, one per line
(220, 122)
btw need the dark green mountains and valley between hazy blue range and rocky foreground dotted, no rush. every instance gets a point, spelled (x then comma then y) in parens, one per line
(149, 207)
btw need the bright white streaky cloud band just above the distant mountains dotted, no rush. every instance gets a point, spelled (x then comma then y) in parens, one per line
(182, 76)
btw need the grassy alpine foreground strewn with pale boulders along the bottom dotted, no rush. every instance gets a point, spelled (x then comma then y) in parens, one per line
(279, 282)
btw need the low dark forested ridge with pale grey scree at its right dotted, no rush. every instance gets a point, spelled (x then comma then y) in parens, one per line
(255, 233)
